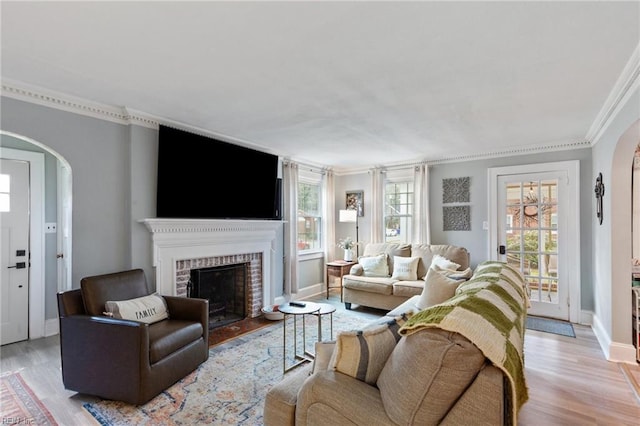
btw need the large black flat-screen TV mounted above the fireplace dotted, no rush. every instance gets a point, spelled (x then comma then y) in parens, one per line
(205, 178)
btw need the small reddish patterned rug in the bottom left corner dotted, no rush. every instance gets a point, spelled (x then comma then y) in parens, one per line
(20, 405)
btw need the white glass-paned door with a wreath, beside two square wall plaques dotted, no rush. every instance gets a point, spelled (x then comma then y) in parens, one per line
(537, 232)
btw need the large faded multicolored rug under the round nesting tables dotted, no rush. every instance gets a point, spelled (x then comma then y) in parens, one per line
(228, 389)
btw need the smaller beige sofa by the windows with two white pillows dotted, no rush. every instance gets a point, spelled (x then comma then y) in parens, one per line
(387, 292)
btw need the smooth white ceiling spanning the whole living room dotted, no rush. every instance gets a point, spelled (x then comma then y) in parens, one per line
(340, 84)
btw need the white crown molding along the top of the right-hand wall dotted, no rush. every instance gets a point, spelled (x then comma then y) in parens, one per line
(626, 85)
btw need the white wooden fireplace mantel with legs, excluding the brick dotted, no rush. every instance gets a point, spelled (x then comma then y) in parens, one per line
(181, 239)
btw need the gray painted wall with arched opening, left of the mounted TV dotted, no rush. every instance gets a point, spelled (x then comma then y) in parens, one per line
(113, 169)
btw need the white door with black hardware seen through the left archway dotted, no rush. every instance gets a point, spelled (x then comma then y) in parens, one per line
(14, 237)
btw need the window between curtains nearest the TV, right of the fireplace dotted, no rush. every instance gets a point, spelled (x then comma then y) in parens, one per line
(309, 215)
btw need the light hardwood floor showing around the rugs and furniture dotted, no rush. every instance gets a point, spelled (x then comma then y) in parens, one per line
(570, 382)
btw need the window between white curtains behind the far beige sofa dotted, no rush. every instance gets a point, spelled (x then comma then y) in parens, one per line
(398, 207)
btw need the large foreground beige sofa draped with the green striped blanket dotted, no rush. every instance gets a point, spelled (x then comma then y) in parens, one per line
(435, 375)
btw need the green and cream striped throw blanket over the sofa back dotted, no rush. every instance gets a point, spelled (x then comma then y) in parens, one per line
(489, 310)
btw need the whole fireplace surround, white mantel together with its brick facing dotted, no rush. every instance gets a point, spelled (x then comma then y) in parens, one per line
(180, 245)
